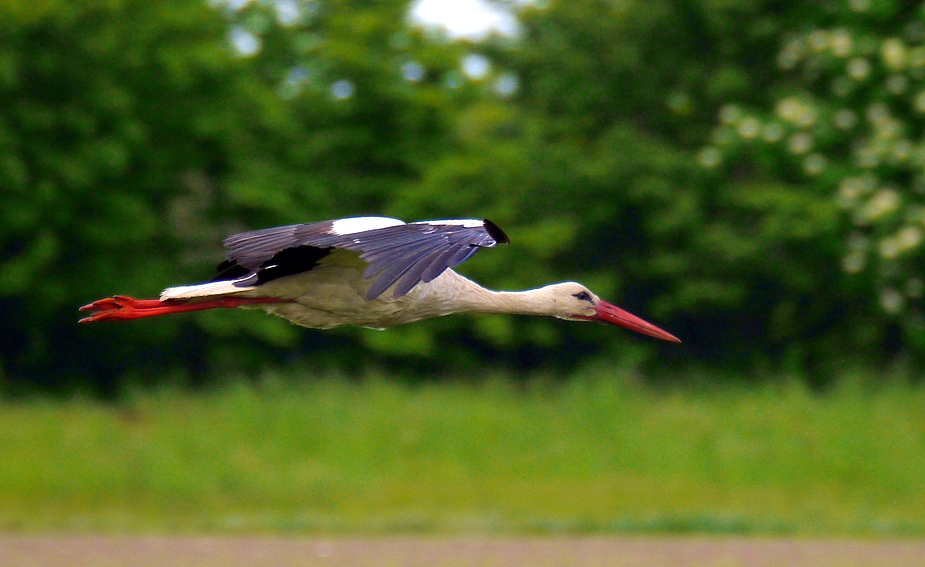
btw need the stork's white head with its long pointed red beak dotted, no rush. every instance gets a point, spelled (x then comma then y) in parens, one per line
(575, 302)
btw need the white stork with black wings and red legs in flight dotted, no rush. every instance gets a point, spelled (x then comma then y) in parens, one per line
(334, 273)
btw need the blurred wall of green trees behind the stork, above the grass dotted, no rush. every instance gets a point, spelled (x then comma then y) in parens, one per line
(748, 175)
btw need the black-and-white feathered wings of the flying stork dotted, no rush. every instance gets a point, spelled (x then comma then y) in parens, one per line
(396, 253)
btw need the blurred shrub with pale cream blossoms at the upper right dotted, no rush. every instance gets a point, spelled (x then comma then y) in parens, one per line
(847, 119)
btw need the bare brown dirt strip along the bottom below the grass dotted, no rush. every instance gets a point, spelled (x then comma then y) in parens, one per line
(157, 551)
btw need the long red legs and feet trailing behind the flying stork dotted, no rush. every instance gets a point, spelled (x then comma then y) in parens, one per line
(123, 308)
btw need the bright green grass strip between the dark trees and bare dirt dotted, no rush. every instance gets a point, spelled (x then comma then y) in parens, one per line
(596, 454)
